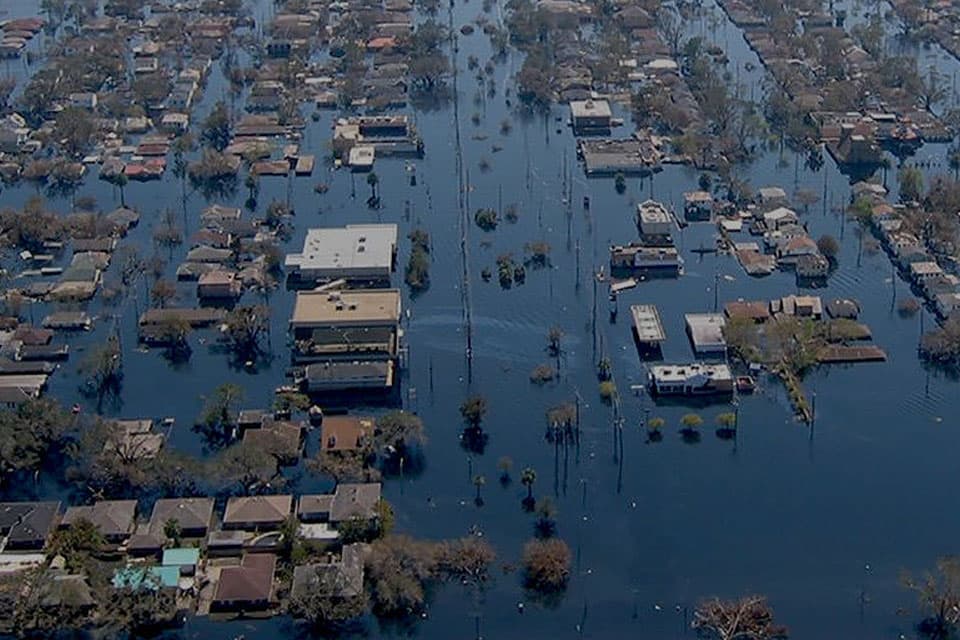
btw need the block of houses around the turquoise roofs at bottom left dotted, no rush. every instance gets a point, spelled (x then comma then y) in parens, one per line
(228, 565)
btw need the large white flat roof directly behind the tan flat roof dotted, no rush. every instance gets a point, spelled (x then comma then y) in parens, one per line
(354, 247)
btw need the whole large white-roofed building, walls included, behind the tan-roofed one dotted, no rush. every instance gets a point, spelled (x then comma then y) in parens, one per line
(355, 252)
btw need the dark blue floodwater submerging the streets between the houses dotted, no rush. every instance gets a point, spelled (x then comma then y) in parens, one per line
(821, 520)
